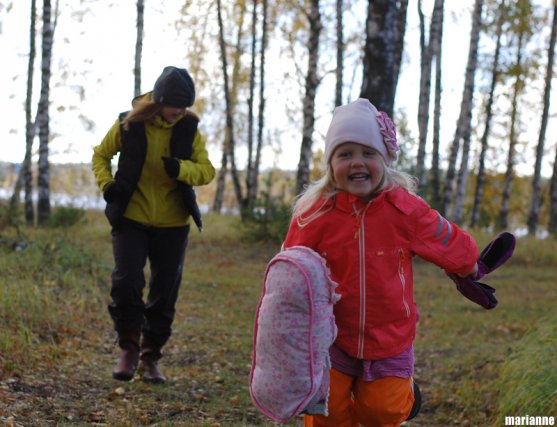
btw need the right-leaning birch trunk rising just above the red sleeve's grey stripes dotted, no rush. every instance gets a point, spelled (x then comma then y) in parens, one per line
(462, 132)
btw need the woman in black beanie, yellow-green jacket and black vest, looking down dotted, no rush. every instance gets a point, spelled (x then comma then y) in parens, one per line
(149, 204)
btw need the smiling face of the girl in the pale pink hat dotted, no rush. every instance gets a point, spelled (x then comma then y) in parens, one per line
(357, 169)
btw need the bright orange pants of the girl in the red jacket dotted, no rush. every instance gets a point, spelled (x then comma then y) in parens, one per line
(385, 402)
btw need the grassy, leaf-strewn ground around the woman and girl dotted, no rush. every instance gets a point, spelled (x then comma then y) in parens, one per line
(57, 345)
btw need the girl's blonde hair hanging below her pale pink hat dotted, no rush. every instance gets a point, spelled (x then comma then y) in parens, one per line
(325, 188)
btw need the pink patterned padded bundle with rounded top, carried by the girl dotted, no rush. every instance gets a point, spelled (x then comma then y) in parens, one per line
(294, 329)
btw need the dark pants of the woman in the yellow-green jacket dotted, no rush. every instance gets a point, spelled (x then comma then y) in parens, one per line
(165, 248)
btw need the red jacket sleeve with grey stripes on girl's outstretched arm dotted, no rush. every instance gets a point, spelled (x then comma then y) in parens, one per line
(442, 242)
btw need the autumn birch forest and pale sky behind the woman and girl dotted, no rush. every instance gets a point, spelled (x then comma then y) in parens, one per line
(472, 112)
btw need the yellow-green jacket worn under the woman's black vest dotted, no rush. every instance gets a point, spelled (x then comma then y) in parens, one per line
(156, 201)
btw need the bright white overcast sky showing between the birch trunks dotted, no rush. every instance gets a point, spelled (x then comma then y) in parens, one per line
(98, 51)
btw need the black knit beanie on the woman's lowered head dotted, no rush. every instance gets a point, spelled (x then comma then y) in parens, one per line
(174, 88)
